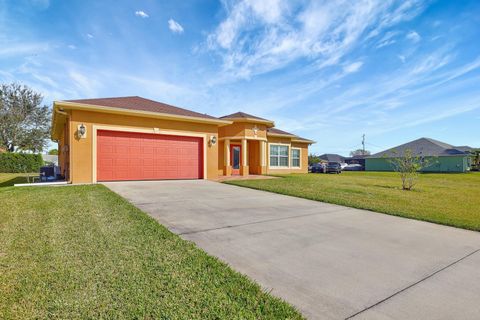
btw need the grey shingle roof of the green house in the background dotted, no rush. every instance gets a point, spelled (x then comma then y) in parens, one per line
(422, 147)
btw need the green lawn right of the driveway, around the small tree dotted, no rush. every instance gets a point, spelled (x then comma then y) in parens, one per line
(450, 199)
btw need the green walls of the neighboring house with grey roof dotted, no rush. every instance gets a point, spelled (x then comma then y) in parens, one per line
(438, 164)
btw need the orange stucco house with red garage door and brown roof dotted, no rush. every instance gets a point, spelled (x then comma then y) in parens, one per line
(132, 138)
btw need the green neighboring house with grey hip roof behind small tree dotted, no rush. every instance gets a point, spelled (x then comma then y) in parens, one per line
(442, 157)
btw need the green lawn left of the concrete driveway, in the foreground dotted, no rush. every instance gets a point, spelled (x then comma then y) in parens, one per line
(82, 252)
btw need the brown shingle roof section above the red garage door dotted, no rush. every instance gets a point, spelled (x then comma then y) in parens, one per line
(142, 104)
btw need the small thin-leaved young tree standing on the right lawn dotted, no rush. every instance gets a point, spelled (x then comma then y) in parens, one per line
(408, 165)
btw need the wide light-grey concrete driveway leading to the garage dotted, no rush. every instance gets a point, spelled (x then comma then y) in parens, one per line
(331, 262)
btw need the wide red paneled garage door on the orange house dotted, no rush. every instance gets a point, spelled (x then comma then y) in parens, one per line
(143, 156)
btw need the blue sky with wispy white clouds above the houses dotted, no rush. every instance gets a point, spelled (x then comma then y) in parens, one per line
(326, 70)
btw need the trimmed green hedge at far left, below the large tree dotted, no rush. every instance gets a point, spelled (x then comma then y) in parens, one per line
(20, 162)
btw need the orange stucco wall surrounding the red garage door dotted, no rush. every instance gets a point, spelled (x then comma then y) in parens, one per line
(81, 149)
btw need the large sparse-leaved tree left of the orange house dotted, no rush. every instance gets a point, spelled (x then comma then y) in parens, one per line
(24, 122)
